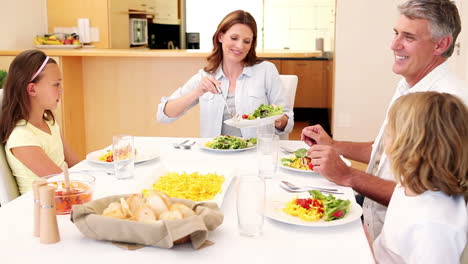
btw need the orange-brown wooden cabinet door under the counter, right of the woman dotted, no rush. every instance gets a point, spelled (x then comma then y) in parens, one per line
(312, 89)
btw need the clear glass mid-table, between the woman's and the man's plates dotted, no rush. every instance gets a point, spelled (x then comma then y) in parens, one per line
(267, 155)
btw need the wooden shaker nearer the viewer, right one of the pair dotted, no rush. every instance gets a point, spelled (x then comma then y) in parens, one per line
(48, 222)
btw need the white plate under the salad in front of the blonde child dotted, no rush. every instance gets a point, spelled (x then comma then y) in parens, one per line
(275, 204)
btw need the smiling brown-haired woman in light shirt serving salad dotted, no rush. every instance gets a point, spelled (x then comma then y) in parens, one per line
(244, 80)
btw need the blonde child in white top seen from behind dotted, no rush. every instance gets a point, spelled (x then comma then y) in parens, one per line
(426, 142)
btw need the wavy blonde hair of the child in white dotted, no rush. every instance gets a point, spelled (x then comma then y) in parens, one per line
(428, 146)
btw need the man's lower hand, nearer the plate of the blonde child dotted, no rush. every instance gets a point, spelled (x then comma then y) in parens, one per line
(328, 163)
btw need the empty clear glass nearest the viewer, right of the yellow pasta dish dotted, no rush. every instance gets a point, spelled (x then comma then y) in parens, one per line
(250, 205)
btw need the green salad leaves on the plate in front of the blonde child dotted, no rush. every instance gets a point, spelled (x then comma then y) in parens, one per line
(334, 208)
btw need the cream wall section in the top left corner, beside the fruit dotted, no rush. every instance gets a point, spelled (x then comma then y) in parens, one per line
(21, 21)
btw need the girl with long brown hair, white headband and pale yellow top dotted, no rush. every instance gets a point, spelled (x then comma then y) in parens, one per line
(34, 145)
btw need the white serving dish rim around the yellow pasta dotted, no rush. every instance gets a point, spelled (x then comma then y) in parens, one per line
(147, 182)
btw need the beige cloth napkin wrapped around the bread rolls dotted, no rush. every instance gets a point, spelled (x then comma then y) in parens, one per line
(87, 217)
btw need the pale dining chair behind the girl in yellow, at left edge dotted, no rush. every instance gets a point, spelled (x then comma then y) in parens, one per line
(8, 187)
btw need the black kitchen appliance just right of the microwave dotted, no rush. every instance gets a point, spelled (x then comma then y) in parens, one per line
(163, 36)
